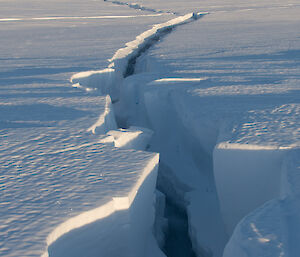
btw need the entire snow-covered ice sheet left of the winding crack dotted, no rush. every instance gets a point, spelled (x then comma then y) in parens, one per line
(55, 174)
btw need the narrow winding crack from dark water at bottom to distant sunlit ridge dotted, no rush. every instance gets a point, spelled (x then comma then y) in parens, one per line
(124, 65)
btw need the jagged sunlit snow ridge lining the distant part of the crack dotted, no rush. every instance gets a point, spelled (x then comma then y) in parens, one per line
(123, 62)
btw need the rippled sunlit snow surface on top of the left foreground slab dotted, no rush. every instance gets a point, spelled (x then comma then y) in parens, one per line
(42, 186)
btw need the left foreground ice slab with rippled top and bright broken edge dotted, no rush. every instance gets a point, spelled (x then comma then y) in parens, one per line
(47, 192)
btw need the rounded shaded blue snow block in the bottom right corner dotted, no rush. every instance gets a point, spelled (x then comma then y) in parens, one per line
(272, 229)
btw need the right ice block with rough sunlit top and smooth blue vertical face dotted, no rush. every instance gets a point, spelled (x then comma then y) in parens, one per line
(248, 159)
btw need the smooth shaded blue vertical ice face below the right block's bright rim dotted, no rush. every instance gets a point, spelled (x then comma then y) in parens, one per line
(246, 177)
